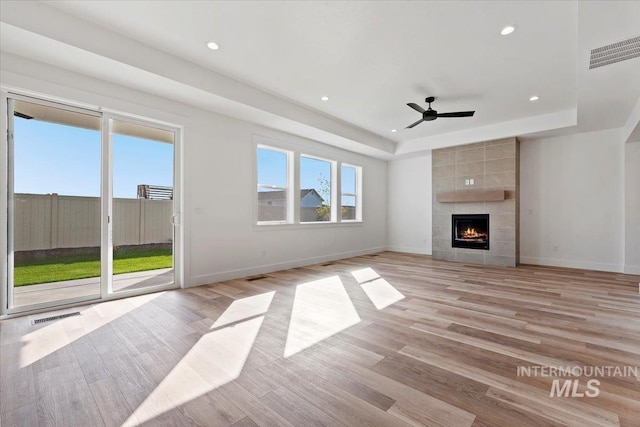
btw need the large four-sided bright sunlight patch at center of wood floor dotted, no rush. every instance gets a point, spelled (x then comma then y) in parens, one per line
(321, 309)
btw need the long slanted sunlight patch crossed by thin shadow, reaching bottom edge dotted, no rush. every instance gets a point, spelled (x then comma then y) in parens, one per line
(216, 359)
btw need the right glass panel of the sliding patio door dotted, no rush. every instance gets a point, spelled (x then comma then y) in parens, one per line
(143, 187)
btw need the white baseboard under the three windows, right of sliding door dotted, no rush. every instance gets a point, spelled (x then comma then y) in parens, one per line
(269, 268)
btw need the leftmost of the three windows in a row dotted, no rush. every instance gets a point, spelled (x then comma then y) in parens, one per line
(273, 185)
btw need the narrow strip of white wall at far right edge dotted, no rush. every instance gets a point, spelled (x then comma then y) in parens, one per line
(632, 208)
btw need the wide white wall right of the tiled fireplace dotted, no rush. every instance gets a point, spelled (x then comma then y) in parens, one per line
(572, 201)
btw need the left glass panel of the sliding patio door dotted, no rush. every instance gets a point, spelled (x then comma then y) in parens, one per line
(54, 205)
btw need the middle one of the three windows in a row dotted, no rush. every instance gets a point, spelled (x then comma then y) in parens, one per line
(315, 189)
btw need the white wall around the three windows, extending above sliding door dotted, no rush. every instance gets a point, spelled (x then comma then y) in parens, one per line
(222, 242)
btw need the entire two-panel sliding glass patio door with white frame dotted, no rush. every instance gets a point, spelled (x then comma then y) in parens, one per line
(91, 209)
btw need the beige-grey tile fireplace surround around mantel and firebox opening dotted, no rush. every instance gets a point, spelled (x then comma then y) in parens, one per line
(493, 165)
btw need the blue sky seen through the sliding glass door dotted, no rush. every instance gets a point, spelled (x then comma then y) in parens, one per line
(54, 158)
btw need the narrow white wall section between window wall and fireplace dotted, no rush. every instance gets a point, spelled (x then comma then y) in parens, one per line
(409, 209)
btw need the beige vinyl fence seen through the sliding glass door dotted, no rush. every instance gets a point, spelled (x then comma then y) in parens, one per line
(55, 221)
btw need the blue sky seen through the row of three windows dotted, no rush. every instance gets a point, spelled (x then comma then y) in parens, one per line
(272, 170)
